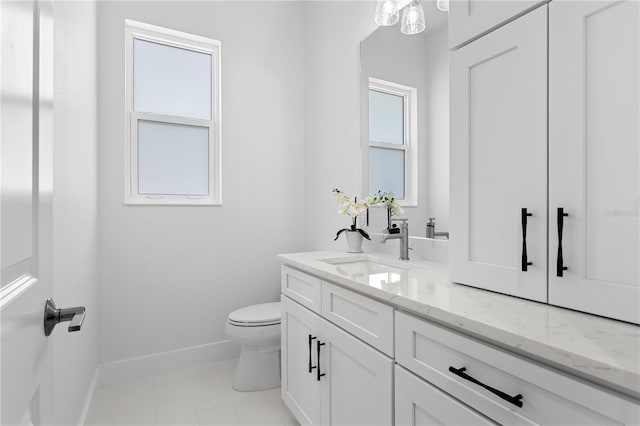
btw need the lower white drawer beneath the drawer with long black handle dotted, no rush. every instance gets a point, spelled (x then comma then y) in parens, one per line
(419, 403)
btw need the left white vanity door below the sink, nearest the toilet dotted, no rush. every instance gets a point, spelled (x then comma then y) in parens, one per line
(300, 389)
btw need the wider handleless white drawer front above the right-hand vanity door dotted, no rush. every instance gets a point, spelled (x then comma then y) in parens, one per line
(365, 318)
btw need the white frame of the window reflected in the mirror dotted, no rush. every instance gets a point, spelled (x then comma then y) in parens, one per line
(410, 143)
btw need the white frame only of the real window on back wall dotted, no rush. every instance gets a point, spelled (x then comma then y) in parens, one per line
(173, 38)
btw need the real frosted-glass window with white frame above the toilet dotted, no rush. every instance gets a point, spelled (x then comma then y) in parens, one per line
(173, 117)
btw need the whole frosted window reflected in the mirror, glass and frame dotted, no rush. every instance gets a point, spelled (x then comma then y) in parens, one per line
(393, 139)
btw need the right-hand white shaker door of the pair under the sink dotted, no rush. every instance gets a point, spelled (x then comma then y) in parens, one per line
(357, 388)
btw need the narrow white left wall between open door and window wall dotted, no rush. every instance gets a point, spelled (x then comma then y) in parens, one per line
(75, 278)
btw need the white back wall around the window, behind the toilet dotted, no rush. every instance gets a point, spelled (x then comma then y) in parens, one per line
(169, 276)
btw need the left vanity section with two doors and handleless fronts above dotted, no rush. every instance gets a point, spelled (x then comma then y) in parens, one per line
(329, 376)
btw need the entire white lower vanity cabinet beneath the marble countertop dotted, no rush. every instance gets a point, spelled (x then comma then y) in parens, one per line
(358, 361)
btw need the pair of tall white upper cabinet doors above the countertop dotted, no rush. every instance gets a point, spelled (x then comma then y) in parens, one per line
(499, 165)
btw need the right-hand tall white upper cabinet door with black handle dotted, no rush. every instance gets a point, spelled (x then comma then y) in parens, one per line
(594, 133)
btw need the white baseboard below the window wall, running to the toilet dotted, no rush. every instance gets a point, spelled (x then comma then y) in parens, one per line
(150, 365)
